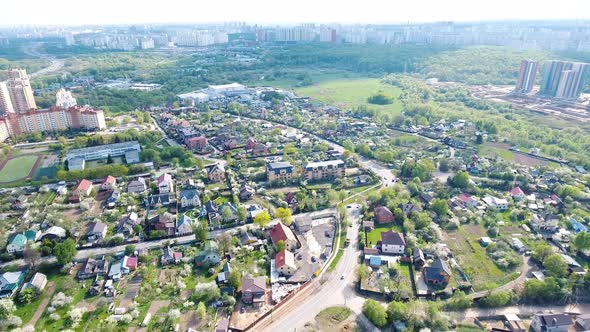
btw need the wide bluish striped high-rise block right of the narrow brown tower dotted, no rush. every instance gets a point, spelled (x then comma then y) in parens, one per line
(564, 80)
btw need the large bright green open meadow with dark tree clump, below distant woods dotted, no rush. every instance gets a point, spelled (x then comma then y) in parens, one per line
(350, 93)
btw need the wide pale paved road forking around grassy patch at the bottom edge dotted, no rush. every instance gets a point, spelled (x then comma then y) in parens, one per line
(332, 291)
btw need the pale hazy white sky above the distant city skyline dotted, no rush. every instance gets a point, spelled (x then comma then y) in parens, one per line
(284, 11)
